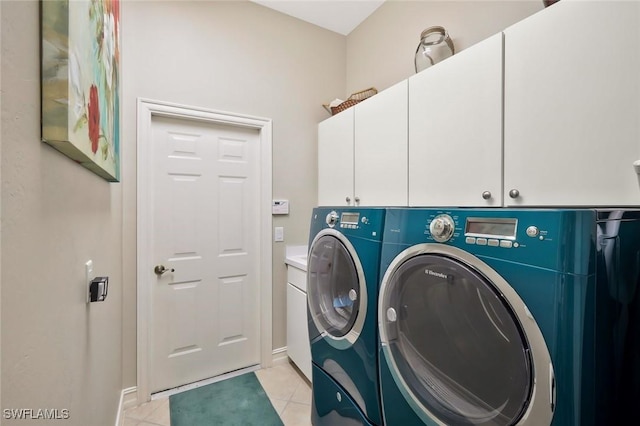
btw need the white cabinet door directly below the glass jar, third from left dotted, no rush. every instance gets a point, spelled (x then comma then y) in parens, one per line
(455, 129)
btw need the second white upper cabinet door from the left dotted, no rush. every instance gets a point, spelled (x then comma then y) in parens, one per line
(381, 148)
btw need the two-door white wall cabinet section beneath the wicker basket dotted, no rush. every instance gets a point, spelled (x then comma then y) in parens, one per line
(362, 152)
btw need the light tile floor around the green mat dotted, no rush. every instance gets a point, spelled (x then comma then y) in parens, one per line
(288, 390)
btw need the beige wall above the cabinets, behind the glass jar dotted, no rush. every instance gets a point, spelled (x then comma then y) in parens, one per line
(380, 51)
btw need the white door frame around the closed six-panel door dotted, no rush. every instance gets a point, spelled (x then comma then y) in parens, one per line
(147, 109)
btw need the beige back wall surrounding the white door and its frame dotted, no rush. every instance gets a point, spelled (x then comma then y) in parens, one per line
(238, 57)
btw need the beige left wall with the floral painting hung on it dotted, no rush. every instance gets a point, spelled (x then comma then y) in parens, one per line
(58, 352)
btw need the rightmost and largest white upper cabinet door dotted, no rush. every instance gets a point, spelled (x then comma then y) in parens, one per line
(572, 105)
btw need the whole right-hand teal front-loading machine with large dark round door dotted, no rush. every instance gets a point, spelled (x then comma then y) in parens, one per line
(509, 316)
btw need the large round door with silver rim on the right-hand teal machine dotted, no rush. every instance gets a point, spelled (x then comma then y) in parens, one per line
(458, 344)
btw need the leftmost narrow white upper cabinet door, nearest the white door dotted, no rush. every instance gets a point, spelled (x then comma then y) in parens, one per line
(335, 159)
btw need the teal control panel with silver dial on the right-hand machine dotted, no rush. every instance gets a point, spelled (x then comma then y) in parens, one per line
(541, 237)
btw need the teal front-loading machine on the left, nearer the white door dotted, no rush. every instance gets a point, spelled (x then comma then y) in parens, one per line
(342, 288)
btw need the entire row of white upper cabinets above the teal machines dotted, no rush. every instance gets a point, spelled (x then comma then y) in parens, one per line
(545, 114)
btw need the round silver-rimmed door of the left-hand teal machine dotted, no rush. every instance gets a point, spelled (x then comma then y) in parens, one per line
(336, 293)
